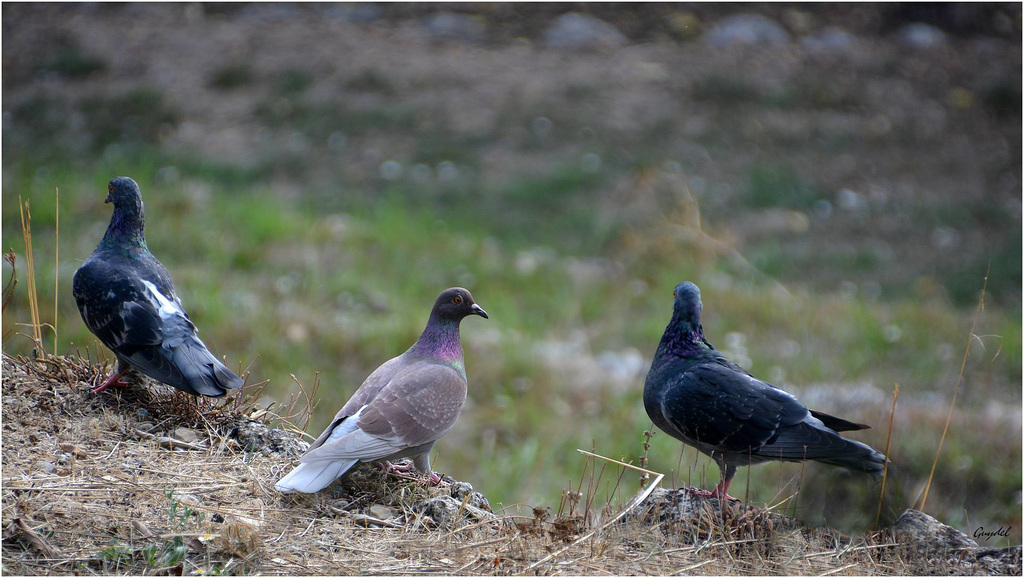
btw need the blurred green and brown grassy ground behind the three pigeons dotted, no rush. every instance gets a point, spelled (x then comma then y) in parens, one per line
(837, 179)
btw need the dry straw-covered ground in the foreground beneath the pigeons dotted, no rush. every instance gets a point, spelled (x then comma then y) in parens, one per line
(110, 485)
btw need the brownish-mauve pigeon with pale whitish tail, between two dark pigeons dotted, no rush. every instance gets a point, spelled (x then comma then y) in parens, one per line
(404, 407)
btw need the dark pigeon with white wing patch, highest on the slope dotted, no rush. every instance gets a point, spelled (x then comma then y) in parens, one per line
(127, 300)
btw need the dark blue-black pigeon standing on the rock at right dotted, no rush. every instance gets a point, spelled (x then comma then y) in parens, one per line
(704, 400)
